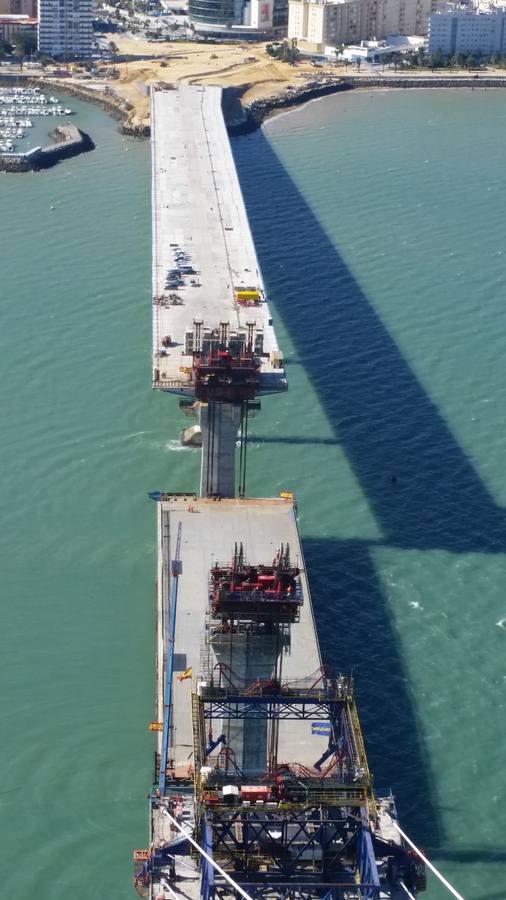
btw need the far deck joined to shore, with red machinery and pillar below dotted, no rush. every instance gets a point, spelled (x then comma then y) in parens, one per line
(214, 341)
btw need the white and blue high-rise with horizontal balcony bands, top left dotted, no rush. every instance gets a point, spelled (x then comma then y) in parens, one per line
(65, 29)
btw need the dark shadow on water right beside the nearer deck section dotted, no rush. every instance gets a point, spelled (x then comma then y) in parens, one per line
(357, 634)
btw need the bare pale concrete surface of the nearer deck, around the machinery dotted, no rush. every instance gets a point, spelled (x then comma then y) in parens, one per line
(208, 535)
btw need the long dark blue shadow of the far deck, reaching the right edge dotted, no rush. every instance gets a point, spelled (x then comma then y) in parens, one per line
(379, 411)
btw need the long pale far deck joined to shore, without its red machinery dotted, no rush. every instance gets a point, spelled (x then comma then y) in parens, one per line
(207, 284)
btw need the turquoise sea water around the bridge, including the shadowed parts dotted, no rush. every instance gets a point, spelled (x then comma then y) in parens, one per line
(380, 227)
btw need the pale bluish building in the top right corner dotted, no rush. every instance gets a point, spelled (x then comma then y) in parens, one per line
(468, 31)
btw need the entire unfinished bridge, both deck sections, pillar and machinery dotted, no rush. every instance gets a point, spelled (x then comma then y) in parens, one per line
(261, 785)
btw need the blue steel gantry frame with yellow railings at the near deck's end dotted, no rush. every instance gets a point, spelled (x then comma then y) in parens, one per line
(314, 841)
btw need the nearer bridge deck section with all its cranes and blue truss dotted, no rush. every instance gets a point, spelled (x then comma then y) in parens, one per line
(261, 769)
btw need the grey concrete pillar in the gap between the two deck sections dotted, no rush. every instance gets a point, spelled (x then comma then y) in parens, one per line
(219, 423)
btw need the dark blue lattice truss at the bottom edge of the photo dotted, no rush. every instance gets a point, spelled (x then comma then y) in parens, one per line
(290, 855)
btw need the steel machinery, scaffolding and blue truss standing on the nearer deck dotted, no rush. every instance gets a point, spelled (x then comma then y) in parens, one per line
(270, 830)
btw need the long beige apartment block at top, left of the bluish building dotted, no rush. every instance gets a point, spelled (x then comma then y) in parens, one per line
(320, 23)
